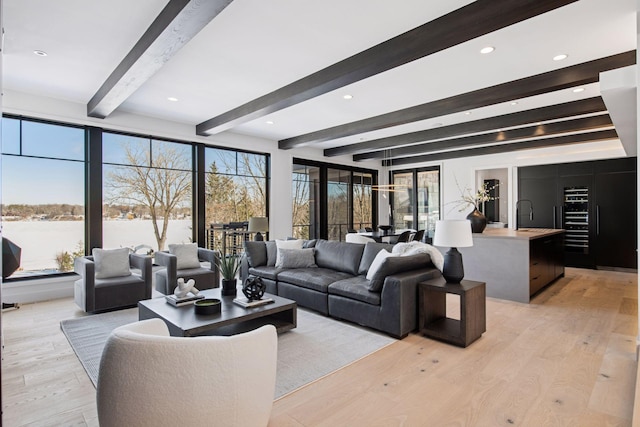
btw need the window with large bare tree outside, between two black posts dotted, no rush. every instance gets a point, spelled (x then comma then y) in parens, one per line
(147, 192)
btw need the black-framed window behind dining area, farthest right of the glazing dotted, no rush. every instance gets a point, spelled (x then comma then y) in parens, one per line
(416, 199)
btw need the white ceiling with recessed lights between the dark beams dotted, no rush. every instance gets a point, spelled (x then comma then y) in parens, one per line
(257, 46)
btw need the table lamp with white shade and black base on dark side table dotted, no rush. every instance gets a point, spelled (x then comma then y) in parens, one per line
(454, 234)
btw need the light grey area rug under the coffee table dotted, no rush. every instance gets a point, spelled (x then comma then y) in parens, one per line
(318, 346)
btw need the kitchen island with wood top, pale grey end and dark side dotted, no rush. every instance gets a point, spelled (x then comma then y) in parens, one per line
(515, 264)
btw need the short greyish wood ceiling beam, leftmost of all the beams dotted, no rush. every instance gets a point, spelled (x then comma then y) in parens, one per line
(178, 22)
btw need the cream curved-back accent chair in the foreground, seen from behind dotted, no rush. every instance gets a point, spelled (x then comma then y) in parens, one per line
(148, 378)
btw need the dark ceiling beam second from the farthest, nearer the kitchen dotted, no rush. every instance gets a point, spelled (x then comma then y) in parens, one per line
(536, 131)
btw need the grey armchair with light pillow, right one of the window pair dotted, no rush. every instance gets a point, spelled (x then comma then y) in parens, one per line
(184, 261)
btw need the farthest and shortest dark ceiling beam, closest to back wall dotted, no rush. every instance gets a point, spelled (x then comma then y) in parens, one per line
(506, 148)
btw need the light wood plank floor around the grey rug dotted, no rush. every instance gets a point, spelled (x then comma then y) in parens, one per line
(566, 359)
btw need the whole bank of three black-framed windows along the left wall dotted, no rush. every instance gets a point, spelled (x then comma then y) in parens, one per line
(69, 188)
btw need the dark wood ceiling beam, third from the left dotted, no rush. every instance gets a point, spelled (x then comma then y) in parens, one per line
(580, 74)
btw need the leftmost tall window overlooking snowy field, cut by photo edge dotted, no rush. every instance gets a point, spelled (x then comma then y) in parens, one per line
(43, 193)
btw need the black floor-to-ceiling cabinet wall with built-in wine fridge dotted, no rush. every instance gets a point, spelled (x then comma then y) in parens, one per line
(595, 202)
